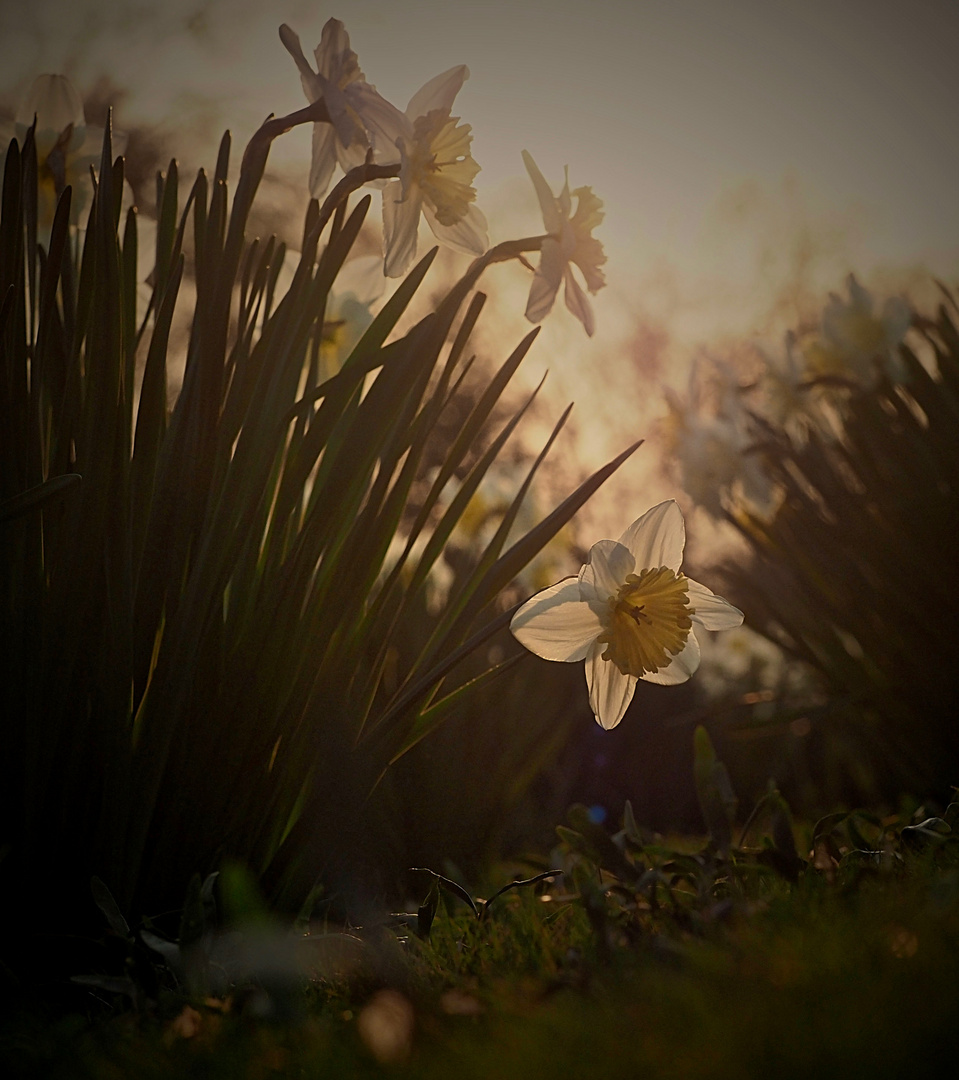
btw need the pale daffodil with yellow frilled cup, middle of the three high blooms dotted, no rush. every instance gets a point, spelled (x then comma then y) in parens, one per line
(437, 174)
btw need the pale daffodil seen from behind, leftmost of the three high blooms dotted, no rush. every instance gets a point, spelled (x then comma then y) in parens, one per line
(361, 119)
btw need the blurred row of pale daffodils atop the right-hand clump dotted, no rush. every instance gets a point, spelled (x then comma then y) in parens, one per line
(714, 434)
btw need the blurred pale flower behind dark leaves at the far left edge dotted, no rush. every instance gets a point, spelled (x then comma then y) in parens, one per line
(66, 146)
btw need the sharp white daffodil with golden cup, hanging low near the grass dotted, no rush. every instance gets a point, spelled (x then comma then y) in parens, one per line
(630, 614)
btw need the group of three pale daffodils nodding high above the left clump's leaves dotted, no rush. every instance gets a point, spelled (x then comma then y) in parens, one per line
(434, 173)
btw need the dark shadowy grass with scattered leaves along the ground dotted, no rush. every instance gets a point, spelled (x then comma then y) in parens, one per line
(680, 963)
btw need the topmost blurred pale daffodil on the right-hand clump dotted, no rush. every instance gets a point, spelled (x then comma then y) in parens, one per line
(856, 342)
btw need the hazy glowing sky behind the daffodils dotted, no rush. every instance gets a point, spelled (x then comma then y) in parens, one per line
(744, 148)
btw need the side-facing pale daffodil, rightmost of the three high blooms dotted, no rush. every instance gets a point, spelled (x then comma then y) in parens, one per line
(571, 242)
